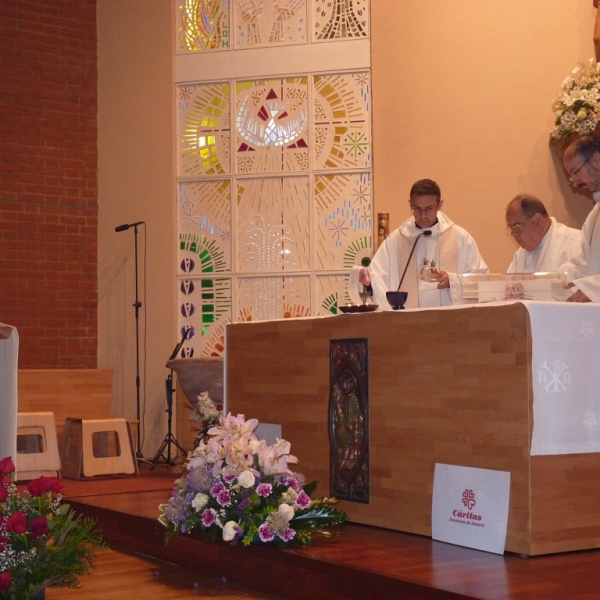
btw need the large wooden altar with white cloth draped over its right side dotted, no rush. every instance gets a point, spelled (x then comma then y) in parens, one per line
(503, 386)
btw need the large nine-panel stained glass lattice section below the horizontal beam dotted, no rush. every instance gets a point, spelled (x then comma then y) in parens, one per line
(274, 234)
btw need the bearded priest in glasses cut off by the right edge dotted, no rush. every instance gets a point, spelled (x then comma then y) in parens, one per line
(582, 163)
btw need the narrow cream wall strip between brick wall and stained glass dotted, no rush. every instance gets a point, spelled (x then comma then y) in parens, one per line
(136, 183)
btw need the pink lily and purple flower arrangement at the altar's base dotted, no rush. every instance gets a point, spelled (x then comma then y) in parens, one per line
(241, 489)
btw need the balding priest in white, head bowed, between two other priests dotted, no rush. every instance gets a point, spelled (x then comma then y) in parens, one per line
(545, 243)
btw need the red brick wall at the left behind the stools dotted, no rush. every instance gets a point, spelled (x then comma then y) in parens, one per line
(48, 180)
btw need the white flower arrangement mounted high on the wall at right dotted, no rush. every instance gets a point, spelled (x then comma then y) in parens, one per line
(577, 109)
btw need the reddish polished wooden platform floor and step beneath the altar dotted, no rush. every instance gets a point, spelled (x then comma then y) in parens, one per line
(362, 562)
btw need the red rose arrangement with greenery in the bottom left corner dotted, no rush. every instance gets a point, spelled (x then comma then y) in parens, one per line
(42, 543)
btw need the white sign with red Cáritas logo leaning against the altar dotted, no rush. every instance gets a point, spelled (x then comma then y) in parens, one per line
(470, 507)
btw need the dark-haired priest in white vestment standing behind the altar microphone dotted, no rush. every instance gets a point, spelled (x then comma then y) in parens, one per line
(448, 249)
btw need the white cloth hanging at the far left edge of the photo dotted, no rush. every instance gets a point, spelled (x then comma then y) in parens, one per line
(9, 353)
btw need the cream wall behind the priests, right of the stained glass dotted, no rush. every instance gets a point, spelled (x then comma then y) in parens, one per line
(462, 93)
